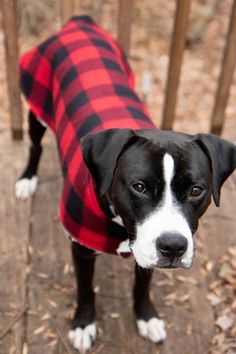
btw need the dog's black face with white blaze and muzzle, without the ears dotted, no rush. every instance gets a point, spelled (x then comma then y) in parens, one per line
(160, 193)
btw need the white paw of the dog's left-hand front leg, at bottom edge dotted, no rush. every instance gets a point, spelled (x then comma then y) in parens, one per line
(83, 338)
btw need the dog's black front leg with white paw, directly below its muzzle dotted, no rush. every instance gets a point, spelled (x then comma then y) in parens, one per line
(148, 323)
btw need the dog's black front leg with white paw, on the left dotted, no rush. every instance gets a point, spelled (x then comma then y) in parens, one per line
(83, 331)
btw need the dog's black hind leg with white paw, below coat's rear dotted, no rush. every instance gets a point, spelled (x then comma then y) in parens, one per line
(27, 183)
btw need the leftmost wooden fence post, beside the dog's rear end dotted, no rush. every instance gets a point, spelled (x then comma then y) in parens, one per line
(9, 18)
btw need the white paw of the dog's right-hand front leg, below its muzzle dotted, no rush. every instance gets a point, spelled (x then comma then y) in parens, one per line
(154, 329)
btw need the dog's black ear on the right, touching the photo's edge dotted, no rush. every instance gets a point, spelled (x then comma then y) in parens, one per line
(222, 155)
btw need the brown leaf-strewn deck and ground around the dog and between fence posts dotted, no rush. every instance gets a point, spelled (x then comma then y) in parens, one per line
(37, 294)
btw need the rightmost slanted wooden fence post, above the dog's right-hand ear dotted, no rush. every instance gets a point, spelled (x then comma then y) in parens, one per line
(226, 76)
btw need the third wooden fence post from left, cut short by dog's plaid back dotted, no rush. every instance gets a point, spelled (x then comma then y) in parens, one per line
(124, 24)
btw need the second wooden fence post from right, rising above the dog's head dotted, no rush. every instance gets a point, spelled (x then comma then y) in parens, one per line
(176, 53)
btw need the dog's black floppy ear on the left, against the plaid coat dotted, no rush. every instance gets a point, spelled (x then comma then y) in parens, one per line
(101, 151)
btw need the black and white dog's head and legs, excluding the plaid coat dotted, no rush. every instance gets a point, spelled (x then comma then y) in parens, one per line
(160, 183)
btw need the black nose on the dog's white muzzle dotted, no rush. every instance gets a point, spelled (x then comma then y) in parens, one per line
(172, 245)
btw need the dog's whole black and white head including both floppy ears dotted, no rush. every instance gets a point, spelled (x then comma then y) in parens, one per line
(159, 183)
